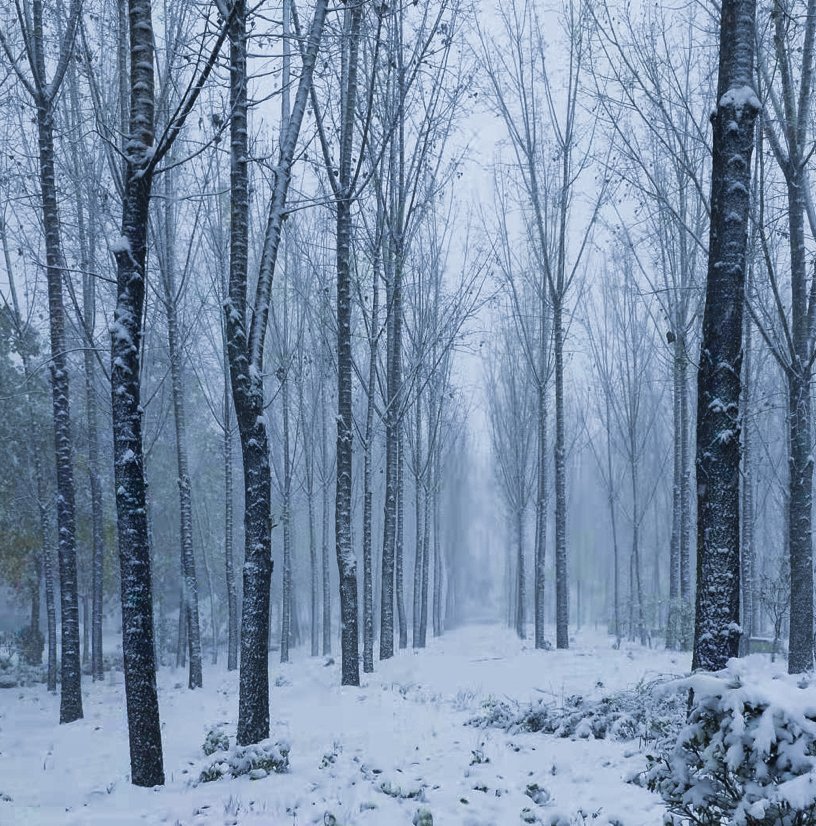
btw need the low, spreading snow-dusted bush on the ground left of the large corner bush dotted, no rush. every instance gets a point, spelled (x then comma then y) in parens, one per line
(641, 712)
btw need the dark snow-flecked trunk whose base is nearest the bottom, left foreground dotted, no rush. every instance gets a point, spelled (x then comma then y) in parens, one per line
(126, 344)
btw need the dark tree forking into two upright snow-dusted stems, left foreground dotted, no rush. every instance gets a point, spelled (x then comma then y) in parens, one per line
(245, 349)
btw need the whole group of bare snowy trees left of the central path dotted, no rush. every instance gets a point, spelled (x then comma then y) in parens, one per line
(260, 260)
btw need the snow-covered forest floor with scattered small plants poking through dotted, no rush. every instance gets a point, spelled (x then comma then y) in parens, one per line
(404, 730)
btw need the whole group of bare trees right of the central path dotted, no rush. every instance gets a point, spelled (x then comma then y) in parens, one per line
(603, 208)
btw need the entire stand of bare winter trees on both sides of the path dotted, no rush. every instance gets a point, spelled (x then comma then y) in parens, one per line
(254, 211)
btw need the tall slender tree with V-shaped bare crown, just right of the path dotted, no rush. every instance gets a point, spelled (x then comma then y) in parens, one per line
(522, 92)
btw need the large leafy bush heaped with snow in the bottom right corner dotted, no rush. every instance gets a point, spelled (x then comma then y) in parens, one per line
(747, 755)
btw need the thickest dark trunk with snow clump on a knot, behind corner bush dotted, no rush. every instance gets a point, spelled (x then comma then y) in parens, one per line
(716, 634)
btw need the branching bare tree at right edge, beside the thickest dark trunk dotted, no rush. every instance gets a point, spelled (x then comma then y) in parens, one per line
(786, 83)
